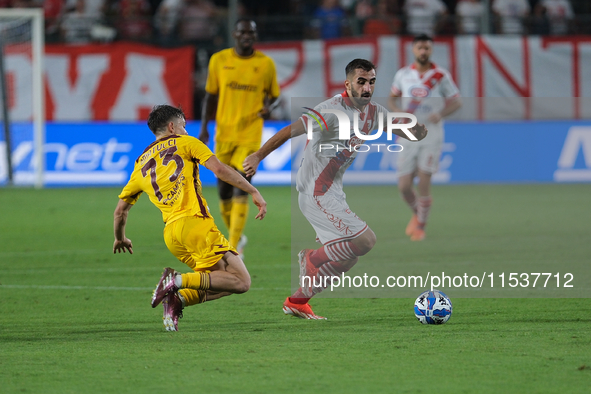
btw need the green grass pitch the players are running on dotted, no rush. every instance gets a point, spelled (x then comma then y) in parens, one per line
(74, 318)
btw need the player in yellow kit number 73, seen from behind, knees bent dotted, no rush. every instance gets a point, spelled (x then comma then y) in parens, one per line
(168, 172)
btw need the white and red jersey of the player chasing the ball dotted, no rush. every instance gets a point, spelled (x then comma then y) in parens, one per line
(326, 158)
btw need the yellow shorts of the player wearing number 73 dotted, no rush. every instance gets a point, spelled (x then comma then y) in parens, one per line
(197, 242)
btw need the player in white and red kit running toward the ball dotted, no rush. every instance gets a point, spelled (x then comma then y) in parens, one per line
(319, 181)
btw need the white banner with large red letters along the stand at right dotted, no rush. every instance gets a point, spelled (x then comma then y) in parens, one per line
(482, 66)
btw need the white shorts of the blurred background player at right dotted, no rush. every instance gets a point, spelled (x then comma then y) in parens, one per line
(424, 157)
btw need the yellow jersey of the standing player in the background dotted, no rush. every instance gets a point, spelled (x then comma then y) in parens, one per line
(241, 84)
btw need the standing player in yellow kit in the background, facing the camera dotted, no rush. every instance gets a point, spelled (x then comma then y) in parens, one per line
(243, 84)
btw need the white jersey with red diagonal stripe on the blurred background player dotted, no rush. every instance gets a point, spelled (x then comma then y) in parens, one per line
(424, 94)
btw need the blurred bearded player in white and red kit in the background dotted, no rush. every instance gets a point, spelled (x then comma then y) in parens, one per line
(427, 91)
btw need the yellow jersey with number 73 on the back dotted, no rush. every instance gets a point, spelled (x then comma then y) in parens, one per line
(168, 171)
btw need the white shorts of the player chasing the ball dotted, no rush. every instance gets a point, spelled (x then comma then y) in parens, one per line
(331, 218)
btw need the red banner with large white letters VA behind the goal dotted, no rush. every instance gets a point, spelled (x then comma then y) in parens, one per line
(121, 81)
